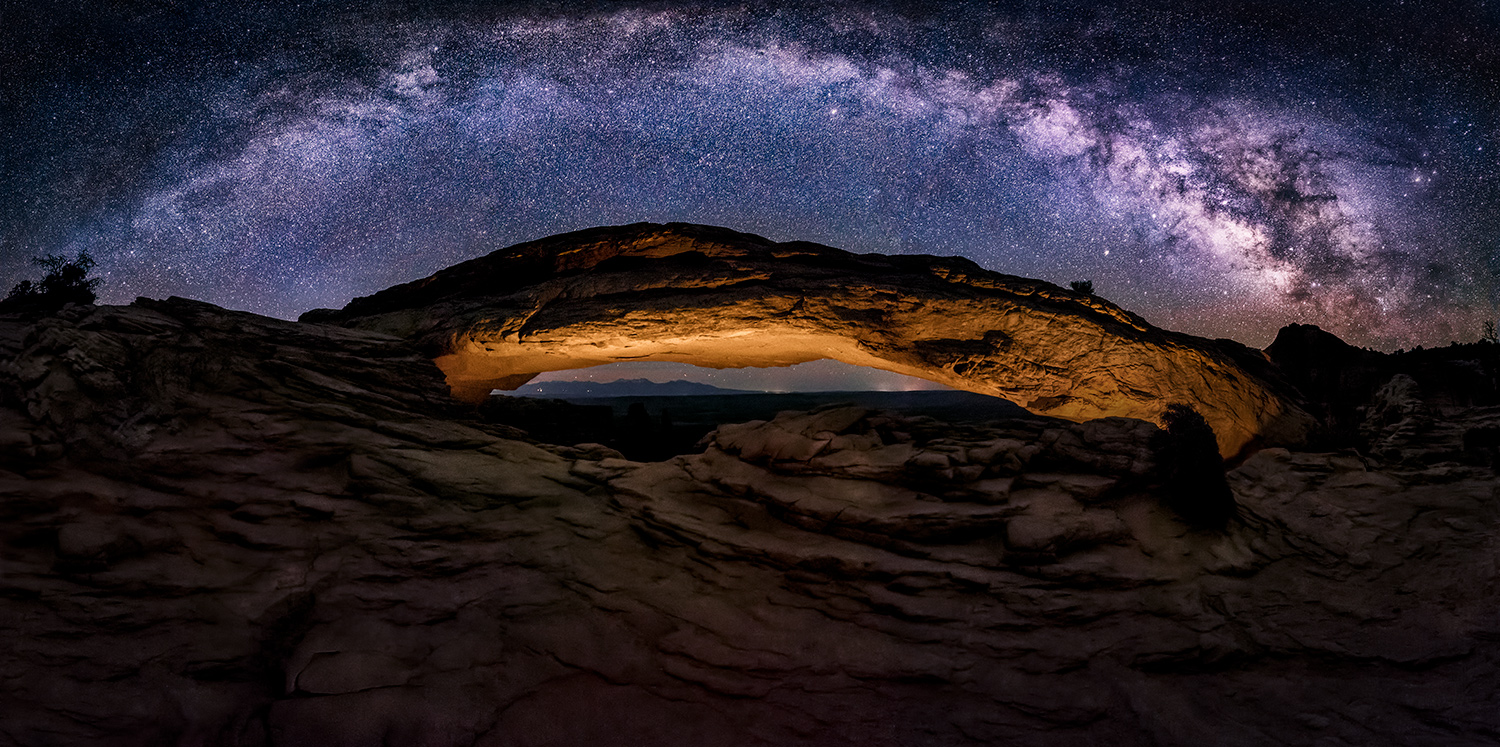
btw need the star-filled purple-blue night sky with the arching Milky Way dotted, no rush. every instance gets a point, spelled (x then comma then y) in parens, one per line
(1220, 169)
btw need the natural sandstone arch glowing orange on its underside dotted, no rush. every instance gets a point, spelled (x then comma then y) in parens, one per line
(721, 299)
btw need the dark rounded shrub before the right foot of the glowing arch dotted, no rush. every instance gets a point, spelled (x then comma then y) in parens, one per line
(1193, 473)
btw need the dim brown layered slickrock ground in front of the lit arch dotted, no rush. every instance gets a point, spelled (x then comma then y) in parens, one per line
(221, 529)
